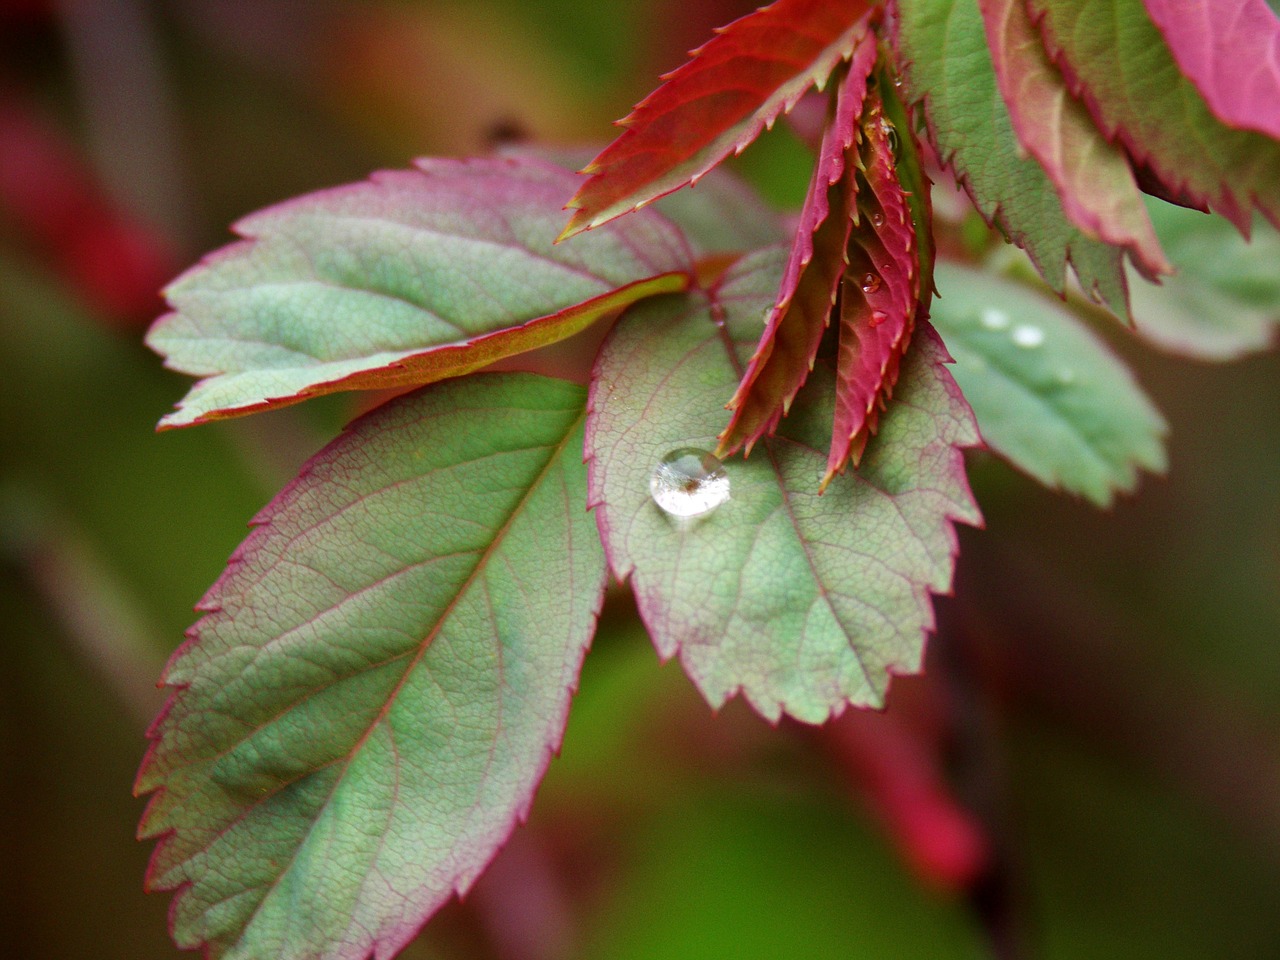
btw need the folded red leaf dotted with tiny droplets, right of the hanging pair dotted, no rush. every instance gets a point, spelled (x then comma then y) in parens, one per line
(880, 295)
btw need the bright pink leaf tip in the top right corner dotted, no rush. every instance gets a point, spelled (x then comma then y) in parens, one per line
(1232, 54)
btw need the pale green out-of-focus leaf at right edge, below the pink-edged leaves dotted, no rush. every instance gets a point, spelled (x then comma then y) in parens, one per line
(1224, 301)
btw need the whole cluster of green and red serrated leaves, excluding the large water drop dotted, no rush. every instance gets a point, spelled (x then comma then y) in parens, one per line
(381, 676)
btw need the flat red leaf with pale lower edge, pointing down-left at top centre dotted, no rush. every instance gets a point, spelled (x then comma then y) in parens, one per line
(716, 104)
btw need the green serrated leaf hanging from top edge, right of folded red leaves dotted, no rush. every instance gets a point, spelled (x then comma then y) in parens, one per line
(947, 66)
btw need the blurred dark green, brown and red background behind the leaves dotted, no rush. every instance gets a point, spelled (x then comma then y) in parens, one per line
(1091, 766)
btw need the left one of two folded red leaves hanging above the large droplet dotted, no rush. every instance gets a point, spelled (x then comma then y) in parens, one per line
(802, 310)
